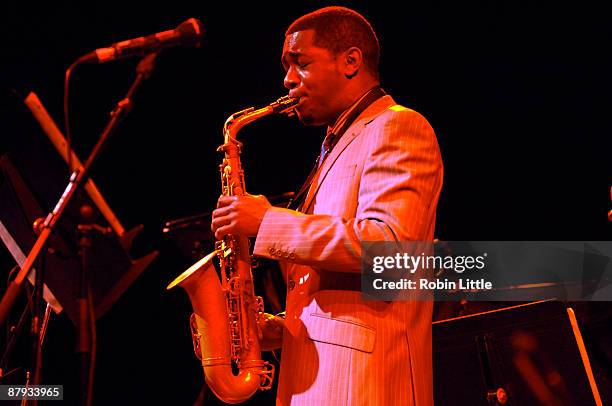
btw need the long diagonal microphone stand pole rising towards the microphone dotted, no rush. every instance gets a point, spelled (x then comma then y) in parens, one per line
(78, 177)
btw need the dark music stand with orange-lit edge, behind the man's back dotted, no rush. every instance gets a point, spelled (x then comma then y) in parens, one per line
(529, 354)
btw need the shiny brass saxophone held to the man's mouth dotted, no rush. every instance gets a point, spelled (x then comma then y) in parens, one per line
(224, 324)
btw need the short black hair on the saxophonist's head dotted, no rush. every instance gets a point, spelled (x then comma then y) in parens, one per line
(339, 28)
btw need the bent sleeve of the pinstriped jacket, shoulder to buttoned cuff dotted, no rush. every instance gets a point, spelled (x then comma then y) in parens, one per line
(397, 199)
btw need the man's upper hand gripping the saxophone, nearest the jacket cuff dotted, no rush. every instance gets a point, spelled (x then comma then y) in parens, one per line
(239, 215)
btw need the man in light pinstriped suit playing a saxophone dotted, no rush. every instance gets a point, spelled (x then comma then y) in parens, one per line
(378, 179)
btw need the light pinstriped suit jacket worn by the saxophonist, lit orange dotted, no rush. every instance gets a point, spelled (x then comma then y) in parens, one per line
(380, 182)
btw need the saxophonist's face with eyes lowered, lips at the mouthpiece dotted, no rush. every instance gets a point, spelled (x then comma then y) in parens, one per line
(314, 75)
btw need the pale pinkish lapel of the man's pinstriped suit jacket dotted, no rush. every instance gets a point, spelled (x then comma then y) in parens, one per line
(351, 133)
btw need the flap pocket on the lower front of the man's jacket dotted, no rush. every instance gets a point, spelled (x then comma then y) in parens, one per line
(340, 332)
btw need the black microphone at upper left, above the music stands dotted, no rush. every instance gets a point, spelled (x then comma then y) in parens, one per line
(188, 33)
